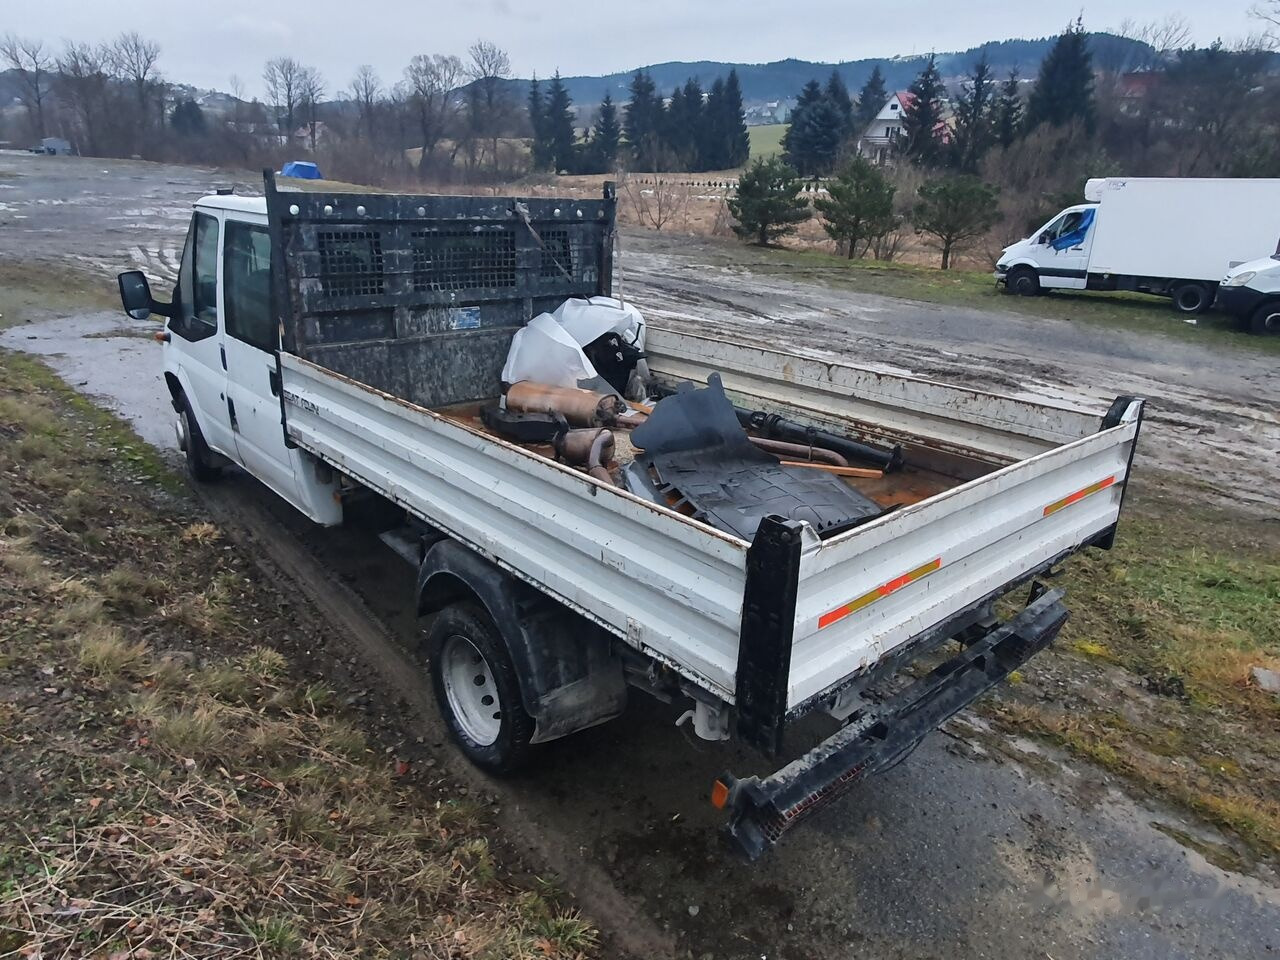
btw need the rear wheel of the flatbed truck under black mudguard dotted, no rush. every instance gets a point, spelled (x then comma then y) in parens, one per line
(470, 665)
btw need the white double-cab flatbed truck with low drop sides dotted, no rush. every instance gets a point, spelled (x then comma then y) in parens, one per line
(336, 345)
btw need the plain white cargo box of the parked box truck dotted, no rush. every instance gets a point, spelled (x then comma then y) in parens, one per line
(1183, 228)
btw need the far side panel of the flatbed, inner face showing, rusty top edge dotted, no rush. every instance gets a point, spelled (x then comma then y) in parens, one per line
(828, 391)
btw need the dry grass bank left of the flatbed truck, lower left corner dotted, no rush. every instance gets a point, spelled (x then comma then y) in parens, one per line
(223, 807)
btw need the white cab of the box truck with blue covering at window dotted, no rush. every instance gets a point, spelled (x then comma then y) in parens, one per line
(1057, 257)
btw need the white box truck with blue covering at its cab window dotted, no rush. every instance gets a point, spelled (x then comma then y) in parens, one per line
(1171, 237)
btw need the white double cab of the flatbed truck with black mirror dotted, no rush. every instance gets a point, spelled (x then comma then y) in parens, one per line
(221, 367)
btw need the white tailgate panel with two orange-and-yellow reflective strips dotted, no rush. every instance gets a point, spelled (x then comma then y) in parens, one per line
(982, 536)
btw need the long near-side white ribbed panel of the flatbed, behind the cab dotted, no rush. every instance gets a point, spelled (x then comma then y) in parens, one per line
(669, 586)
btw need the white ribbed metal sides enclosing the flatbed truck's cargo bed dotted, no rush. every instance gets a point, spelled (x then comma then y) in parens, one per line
(1009, 488)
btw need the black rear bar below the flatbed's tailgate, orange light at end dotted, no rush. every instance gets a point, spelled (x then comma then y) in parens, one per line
(762, 811)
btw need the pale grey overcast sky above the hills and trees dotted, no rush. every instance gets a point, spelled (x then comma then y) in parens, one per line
(205, 44)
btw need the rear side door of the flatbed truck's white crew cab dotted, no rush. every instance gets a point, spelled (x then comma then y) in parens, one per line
(250, 345)
